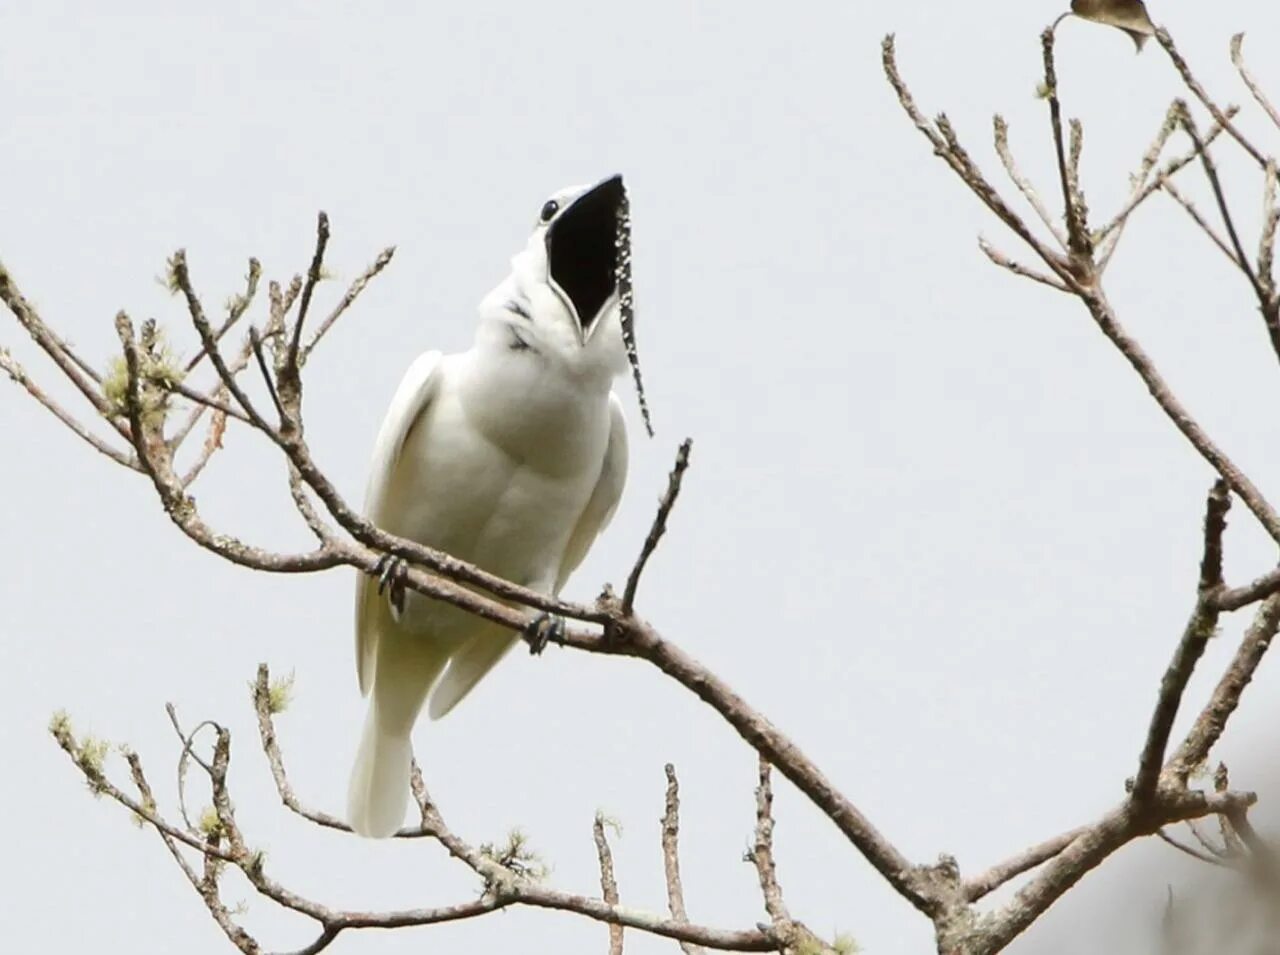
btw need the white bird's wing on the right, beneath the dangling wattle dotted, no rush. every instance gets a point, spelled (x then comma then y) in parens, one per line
(492, 643)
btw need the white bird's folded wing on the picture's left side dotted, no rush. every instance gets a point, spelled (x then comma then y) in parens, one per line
(412, 400)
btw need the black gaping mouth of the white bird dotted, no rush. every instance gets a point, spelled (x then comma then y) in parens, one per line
(583, 252)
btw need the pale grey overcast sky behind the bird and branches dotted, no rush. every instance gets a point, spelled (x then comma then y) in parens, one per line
(935, 527)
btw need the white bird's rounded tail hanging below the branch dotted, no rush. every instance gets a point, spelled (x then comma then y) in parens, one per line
(378, 796)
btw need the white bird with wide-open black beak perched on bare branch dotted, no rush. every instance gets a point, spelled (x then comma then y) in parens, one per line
(513, 456)
